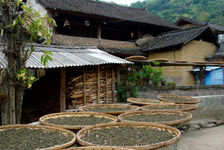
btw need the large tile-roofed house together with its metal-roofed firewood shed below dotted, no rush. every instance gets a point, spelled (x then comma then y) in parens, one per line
(83, 71)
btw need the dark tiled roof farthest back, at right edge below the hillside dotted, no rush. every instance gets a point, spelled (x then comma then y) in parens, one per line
(199, 23)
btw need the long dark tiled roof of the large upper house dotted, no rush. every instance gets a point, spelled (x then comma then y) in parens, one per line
(106, 10)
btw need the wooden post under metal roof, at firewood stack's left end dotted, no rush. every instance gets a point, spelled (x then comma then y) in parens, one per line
(62, 90)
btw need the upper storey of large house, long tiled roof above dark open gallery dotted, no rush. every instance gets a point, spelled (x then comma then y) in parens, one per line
(110, 27)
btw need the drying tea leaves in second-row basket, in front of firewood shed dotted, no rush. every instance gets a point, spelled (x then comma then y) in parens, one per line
(78, 120)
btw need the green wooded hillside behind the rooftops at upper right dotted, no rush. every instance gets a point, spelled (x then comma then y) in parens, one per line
(171, 10)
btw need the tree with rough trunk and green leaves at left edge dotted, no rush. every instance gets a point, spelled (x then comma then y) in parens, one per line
(21, 28)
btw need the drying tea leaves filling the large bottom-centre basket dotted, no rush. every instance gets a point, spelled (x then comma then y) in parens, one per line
(126, 136)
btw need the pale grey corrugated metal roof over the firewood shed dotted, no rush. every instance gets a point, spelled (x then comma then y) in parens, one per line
(64, 56)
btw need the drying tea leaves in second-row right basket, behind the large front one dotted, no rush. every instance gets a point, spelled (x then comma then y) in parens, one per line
(159, 117)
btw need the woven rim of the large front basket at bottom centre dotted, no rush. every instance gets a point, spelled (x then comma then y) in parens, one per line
(158, 127)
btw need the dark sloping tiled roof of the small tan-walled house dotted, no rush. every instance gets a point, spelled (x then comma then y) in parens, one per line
(176, 38)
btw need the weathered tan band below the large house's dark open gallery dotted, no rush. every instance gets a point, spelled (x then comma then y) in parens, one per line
(118, 48)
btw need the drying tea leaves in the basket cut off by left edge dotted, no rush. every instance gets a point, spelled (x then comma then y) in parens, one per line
(27, 139)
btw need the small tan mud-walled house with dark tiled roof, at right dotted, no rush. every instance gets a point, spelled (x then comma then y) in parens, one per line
(186, 45)
